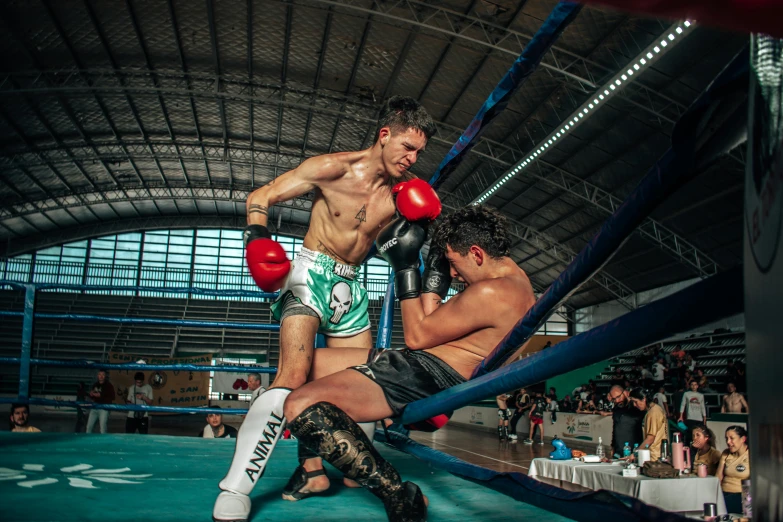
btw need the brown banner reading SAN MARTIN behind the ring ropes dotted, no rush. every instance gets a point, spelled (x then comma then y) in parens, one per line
(169, 387)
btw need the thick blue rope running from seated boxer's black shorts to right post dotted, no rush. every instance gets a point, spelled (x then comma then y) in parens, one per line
(715, 298)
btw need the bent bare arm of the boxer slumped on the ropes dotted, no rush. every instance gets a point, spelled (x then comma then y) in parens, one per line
(461, 315)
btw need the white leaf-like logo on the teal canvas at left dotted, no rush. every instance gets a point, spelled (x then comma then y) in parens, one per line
(79, 476)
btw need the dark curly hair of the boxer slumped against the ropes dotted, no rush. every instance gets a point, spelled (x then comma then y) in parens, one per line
(473, 225)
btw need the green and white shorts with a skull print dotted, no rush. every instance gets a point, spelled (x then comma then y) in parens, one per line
(320, 287)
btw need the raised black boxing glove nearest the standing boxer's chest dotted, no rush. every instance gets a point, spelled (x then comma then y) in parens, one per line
(399, 243)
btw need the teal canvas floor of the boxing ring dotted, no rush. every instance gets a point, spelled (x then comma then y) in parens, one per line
(65, 477)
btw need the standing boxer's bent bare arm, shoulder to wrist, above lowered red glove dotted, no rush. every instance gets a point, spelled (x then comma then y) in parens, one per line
(310, 174)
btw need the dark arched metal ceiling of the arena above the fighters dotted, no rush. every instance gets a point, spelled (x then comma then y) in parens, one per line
(143, 114)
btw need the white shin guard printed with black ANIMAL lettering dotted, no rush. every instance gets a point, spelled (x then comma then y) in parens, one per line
(257, 437)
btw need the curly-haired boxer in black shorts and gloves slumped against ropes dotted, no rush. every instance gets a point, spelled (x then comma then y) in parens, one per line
(445, 342)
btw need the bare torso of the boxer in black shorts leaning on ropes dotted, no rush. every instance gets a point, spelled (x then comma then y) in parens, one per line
(467, 352)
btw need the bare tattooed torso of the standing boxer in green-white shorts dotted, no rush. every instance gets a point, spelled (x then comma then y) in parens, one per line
(348, 213)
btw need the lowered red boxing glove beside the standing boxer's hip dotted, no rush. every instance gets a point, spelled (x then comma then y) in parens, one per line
(266, 259)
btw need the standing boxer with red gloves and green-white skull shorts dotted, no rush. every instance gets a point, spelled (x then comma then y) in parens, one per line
(355, 197)
